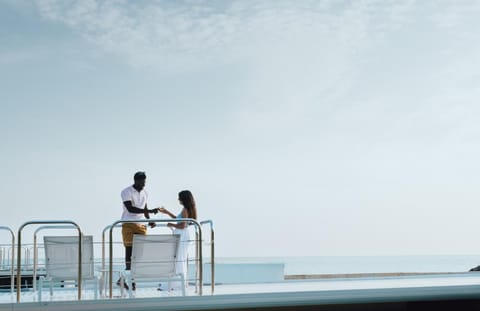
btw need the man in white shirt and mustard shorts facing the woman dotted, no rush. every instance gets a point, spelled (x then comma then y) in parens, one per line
(134, 200)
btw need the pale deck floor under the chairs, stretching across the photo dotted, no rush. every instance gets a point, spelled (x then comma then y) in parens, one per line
(319, 286)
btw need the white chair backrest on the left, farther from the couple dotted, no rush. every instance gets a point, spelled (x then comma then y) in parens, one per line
(61, 257)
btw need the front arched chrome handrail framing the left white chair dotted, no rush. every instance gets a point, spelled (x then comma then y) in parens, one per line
(49, 222)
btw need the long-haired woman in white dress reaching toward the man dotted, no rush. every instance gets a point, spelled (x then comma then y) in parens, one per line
(189, 210)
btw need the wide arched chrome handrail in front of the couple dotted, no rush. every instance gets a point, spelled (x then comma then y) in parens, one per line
(113, 225)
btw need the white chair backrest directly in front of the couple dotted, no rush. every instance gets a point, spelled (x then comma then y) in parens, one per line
(154, 255)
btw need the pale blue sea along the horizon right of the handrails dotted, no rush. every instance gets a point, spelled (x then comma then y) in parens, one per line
(365, 264)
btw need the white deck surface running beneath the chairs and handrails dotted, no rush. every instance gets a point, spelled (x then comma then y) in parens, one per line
(468, 283)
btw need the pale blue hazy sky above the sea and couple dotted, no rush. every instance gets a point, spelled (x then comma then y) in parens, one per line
(303, 128)
